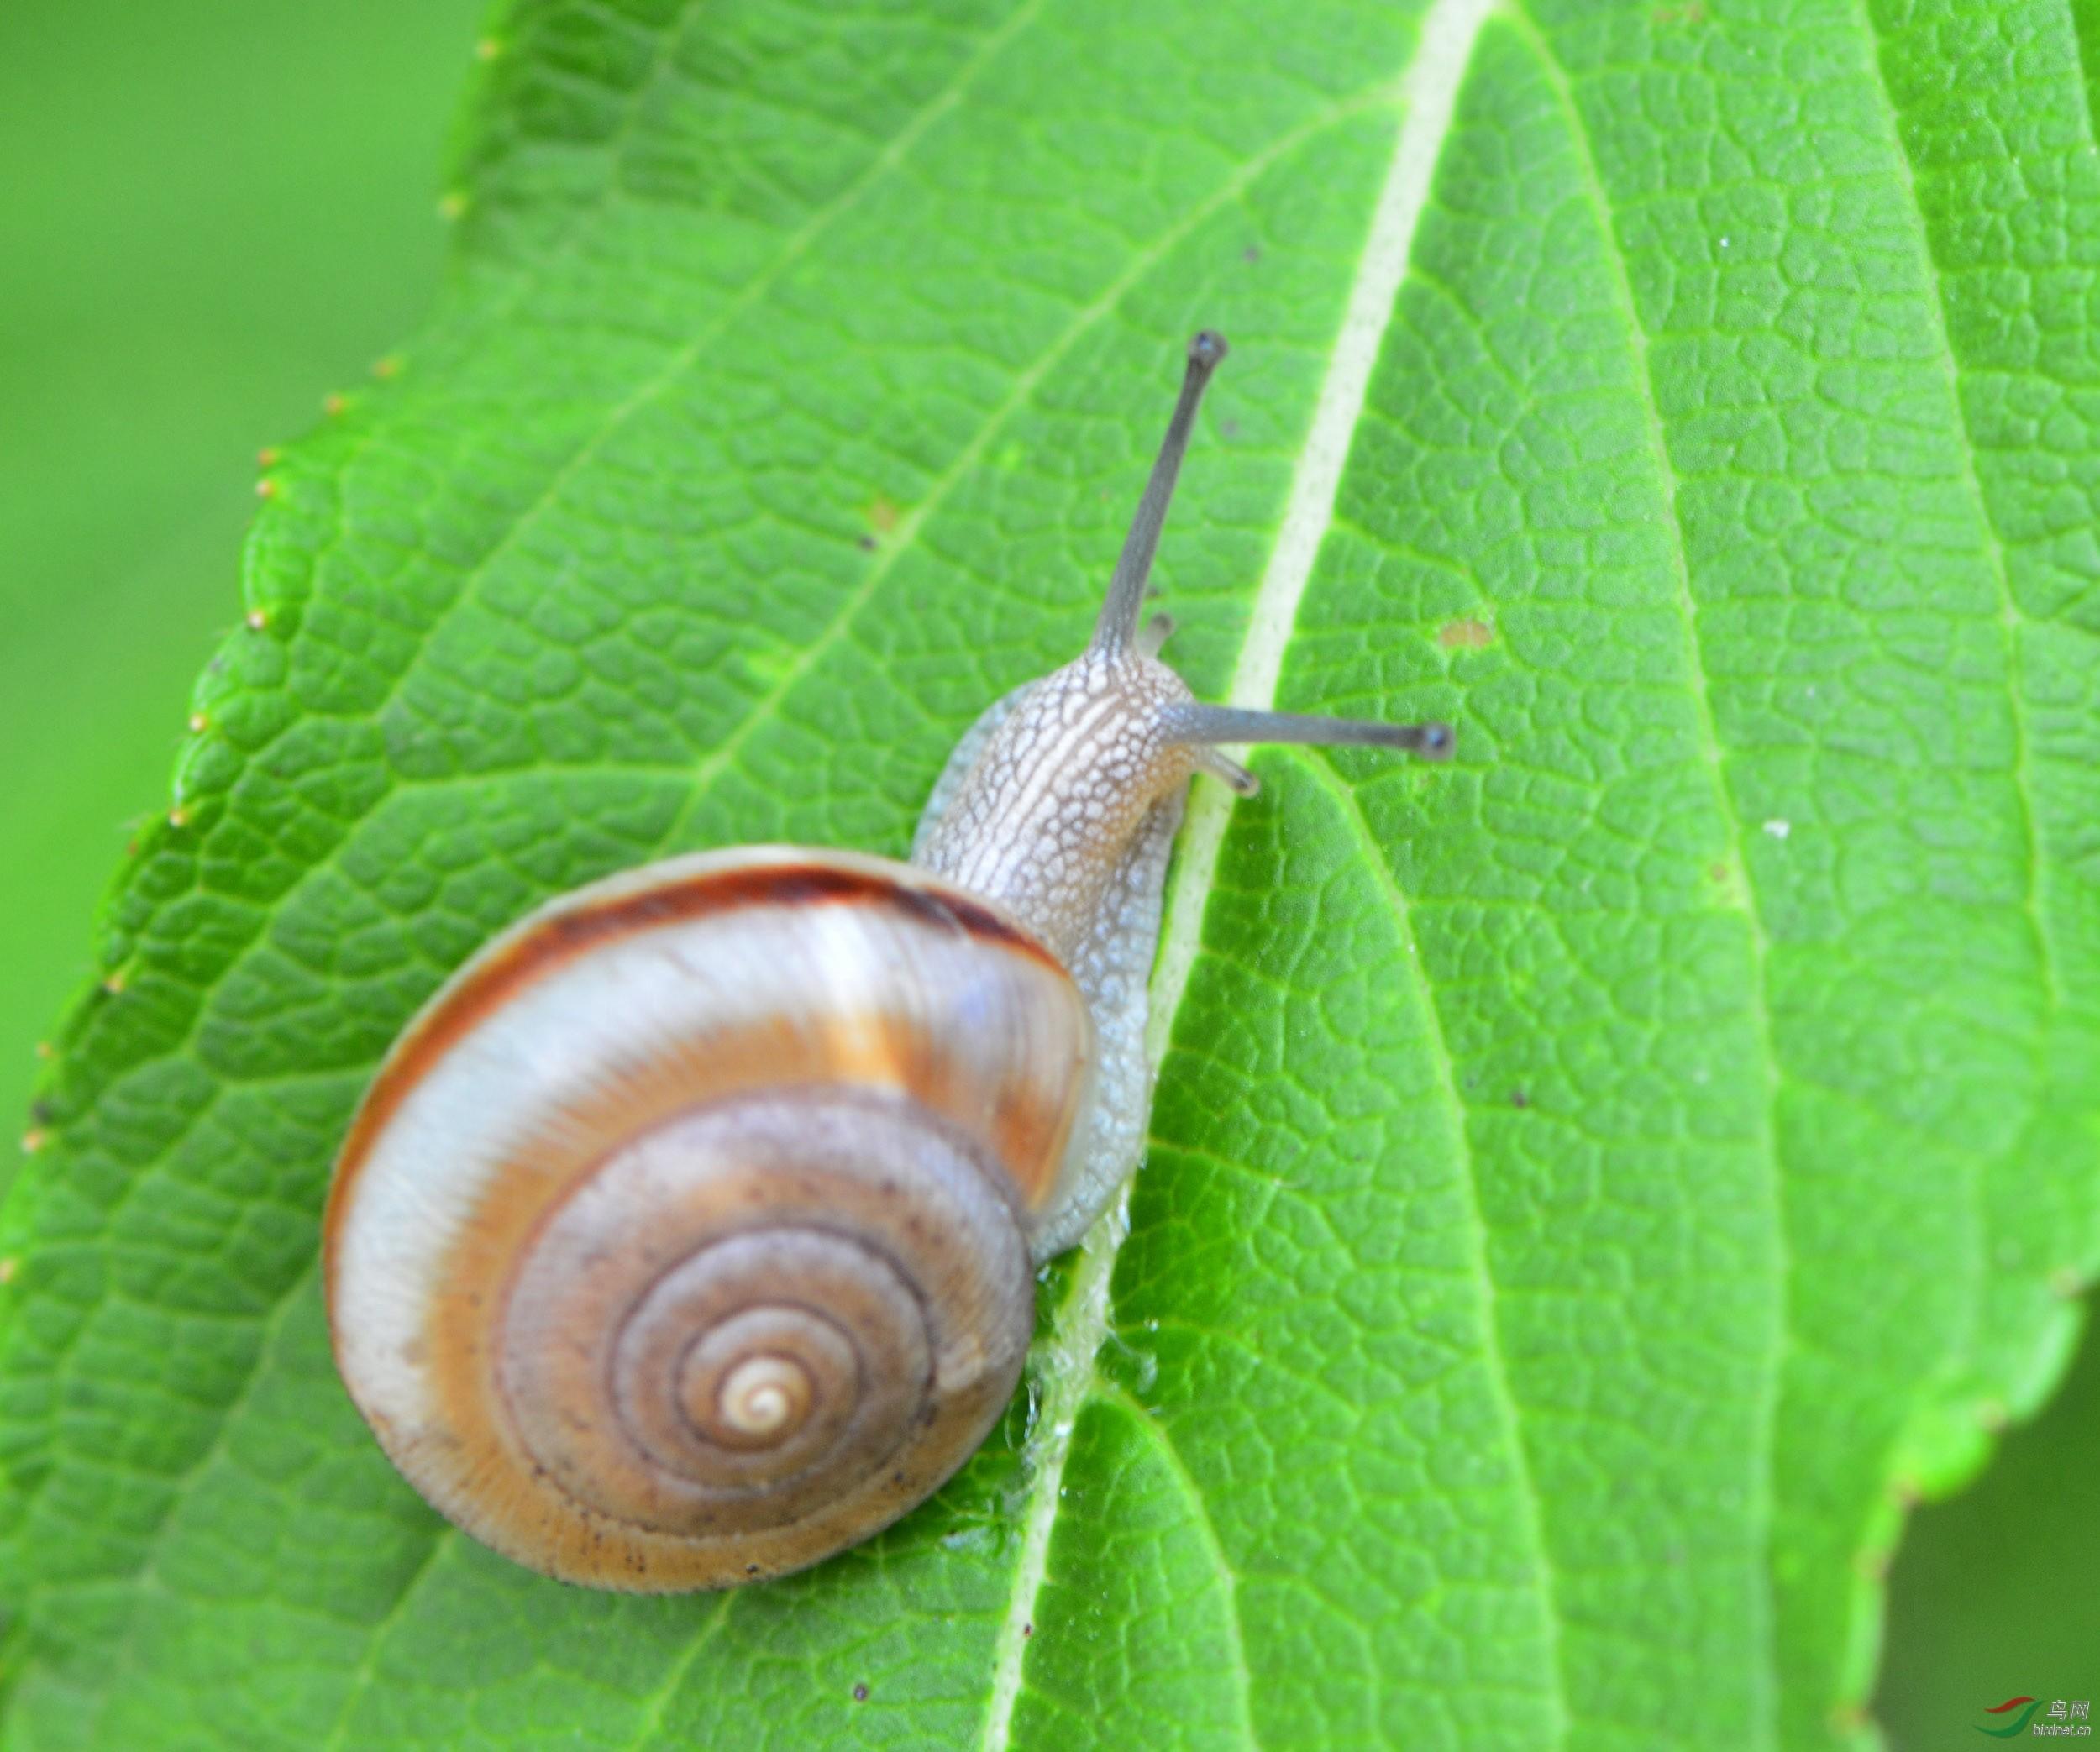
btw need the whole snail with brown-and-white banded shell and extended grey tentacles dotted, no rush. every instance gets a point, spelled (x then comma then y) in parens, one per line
(690, 1232)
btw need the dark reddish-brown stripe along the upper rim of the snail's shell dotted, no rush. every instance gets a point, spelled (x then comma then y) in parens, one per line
(543, 944)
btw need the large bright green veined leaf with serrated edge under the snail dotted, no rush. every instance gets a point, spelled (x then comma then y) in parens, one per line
(1593, 1186)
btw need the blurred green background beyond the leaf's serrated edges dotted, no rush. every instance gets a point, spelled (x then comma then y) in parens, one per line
(217, 211)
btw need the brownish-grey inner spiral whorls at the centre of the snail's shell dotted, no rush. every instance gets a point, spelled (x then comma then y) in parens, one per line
(782, 1318)
